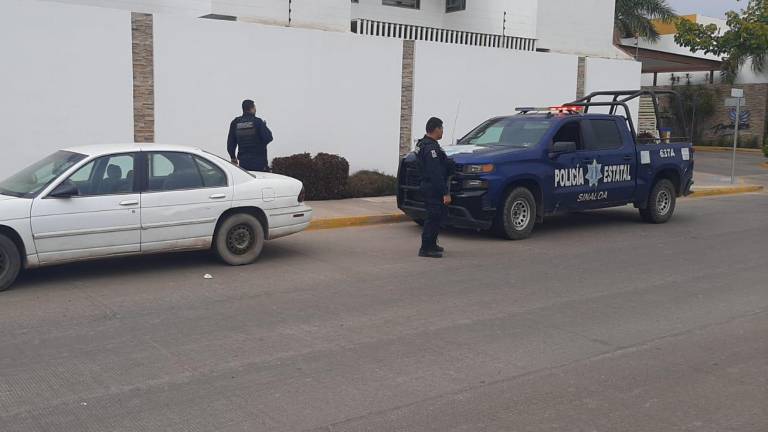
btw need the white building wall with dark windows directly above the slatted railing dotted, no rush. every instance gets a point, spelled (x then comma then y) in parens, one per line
(485, 16)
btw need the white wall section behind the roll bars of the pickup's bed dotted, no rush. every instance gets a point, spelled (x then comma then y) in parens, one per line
(604, 74)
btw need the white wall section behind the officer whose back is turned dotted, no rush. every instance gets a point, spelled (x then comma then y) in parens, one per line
(319, 91)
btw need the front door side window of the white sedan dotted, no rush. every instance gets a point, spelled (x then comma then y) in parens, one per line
(107, 175)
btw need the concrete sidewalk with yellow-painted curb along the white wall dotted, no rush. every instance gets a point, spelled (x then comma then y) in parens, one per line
(378, 210)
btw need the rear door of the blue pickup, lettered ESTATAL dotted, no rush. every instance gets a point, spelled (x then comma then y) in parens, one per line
(613, 153)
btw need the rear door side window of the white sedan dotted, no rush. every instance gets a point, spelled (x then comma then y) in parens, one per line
(170, 171)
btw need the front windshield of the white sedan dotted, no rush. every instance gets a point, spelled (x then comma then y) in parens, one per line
(33, 179)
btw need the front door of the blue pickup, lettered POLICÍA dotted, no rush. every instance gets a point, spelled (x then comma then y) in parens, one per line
(570, 168)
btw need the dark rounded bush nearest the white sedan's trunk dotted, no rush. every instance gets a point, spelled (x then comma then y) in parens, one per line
(324, 176)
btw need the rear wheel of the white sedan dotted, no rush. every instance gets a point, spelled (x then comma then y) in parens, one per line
(239, 239)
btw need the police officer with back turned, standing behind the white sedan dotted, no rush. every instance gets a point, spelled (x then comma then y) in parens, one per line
(248, 139)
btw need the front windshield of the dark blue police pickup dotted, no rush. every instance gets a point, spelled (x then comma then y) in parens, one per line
(519, 131)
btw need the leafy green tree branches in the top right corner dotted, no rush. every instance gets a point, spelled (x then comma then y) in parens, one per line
(745, 39)
